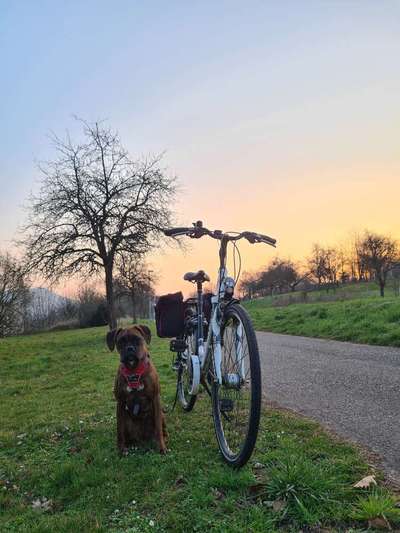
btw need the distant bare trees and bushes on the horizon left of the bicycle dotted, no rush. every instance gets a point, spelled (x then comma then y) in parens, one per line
(28, 309)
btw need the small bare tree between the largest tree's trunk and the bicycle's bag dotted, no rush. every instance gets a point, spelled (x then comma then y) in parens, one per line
(135, 280)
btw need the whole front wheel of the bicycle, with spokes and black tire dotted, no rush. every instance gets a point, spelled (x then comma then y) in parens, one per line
(237, 402)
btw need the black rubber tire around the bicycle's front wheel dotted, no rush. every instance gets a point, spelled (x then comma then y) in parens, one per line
(239, 458)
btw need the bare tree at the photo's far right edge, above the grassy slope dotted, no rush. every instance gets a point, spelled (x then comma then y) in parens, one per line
(379, 253)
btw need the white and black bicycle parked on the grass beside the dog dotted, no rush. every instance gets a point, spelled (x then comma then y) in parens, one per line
(227, 360)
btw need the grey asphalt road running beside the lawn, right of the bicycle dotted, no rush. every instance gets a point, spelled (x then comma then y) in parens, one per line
(352, 389)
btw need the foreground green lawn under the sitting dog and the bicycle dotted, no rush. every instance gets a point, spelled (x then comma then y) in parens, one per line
(59, 470)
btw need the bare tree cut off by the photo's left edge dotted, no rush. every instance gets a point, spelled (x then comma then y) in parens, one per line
(14, 296)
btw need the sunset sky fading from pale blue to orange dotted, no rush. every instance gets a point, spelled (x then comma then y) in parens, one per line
(277, 117)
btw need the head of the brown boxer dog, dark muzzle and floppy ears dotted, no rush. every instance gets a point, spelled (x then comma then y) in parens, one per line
(131, 343)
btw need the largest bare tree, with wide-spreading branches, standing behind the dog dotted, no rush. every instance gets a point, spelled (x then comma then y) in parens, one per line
(95, 204)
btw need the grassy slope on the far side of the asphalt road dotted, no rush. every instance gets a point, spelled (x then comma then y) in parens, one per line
(353, 313)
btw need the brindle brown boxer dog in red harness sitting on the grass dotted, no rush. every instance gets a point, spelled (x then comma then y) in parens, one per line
(137, 390)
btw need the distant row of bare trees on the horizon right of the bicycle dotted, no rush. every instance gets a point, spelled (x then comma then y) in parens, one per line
(370, 257)
